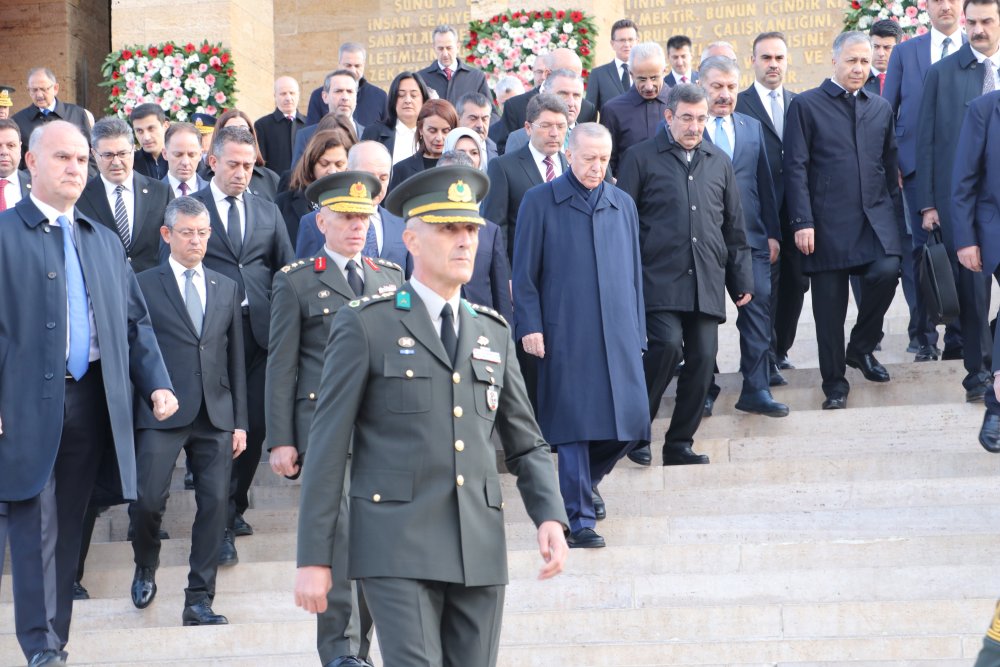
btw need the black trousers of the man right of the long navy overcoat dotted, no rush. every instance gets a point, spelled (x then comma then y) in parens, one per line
(673, 336)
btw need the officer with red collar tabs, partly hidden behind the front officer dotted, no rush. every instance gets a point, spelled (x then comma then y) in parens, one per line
(306, 295)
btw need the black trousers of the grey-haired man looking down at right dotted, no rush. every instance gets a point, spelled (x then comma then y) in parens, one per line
(830, 293)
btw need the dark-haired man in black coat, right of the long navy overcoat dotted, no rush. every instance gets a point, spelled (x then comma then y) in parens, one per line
(694, 247)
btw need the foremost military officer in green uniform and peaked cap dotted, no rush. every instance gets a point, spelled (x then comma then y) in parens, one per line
(420, 379)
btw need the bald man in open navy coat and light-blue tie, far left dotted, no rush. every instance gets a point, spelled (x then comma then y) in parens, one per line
(76, 331)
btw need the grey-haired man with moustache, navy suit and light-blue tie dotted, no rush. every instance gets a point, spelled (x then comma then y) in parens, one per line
(742, 138)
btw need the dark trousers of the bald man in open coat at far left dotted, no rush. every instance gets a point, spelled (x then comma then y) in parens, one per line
(45, 531)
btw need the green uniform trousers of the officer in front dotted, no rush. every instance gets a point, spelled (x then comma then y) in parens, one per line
(435, 624)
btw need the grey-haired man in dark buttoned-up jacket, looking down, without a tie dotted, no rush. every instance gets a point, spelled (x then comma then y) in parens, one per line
(634, 116)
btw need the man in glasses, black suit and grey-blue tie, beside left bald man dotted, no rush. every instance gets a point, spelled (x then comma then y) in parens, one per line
(199, 328)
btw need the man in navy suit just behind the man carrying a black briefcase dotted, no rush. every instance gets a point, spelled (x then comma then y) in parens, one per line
(904, 88)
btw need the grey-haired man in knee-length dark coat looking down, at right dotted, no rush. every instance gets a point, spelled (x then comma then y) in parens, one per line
(842, 189)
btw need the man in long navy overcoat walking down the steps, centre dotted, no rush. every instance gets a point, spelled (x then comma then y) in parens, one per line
(578, 307)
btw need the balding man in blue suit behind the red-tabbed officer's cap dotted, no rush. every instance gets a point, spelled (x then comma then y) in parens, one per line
(385, 230)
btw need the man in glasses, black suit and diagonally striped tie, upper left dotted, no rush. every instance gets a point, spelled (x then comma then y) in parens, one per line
(122, 200)
